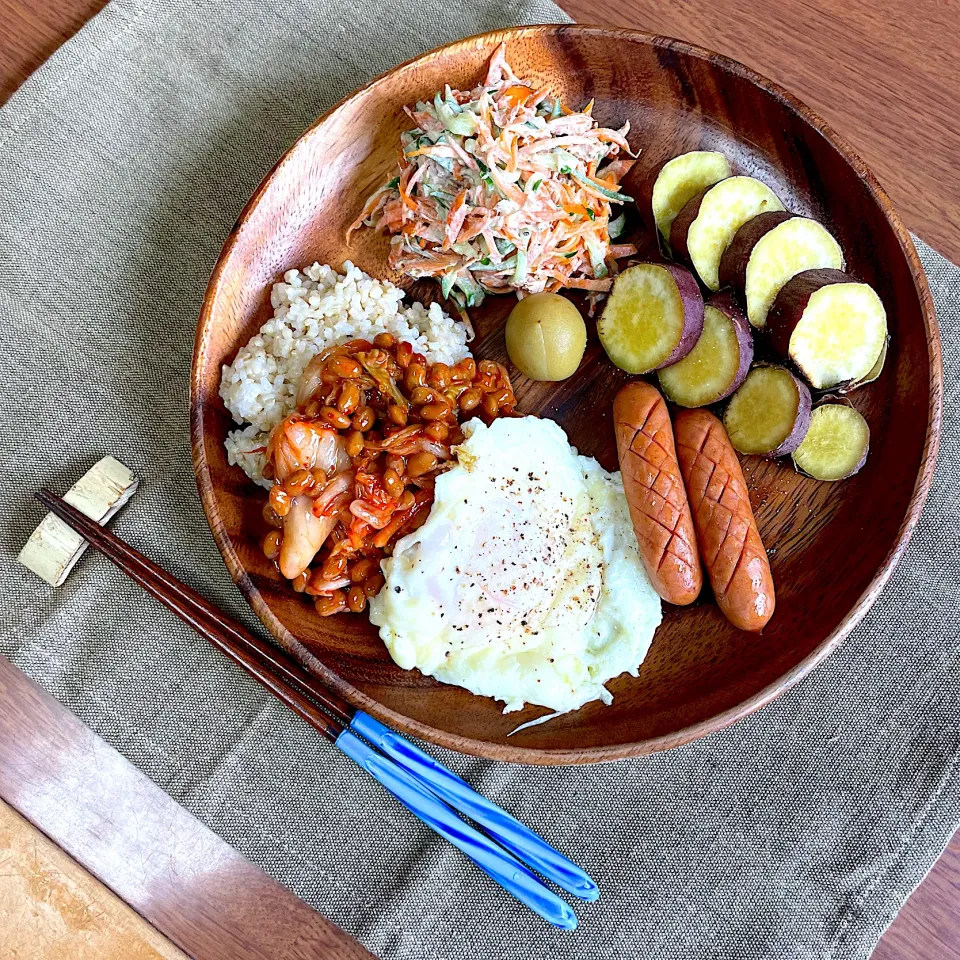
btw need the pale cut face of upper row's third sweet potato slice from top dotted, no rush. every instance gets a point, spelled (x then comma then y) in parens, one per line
(793, 246)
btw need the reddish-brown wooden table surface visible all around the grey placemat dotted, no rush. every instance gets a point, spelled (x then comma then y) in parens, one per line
(885, 74)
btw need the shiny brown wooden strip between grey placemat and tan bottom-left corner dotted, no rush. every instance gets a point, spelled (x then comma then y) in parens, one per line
(205, 897)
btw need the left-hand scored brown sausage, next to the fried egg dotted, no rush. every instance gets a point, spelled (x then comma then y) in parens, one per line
(655, 493)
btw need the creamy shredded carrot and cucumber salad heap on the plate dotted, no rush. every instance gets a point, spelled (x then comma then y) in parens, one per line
(501, 188)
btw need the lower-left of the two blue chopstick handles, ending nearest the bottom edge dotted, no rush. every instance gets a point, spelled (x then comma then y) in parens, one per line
(512, 875)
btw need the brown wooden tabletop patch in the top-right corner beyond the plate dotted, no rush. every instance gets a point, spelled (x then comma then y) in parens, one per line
(882, 73)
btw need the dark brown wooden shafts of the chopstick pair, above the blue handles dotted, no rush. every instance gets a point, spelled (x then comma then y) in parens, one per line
(294, 686)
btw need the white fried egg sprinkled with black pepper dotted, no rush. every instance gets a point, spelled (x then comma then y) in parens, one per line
(525, 583)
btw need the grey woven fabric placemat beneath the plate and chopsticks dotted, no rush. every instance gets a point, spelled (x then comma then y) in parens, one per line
(124, 161)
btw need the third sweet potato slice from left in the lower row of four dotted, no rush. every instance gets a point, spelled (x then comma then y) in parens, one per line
(769, 414)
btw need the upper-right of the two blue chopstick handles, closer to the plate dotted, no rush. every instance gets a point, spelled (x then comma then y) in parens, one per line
(509, 831)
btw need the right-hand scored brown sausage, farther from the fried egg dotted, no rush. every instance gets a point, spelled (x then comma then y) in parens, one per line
(730, 543)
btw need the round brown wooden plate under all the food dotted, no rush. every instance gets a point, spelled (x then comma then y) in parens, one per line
(832, 546)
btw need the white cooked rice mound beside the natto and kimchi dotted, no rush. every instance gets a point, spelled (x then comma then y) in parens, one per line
(314, 309)
